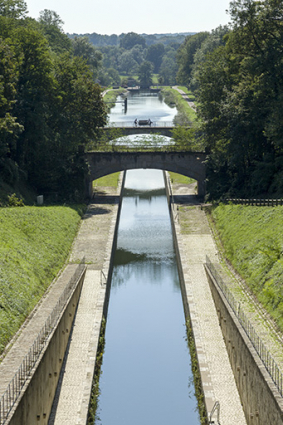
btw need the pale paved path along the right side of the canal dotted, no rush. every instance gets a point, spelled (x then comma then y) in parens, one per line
(195, 242)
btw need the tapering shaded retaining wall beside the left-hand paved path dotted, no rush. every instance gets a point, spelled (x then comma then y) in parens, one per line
(34, 405)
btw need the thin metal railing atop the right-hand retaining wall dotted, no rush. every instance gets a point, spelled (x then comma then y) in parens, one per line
(265, 356)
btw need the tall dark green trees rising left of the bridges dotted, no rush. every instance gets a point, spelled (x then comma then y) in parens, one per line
(50, 104)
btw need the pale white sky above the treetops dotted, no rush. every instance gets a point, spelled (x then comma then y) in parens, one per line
(147, 16)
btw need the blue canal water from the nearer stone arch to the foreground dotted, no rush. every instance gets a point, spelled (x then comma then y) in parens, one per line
(146, 374)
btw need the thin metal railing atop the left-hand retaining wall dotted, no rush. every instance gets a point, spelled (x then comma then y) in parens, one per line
(15, 386)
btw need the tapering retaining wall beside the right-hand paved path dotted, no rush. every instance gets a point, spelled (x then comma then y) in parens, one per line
(262, 402)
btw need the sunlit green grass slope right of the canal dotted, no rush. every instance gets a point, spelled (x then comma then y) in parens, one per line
(252, 238)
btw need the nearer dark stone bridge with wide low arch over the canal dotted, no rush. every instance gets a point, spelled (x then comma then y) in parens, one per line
(190, 164)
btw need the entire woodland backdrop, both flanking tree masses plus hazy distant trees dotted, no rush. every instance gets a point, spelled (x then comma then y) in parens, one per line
(50, 101)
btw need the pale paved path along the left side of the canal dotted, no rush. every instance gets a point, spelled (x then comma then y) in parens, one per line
(94, 241)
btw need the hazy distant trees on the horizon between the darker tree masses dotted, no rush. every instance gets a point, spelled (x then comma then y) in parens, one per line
(130, 54)
